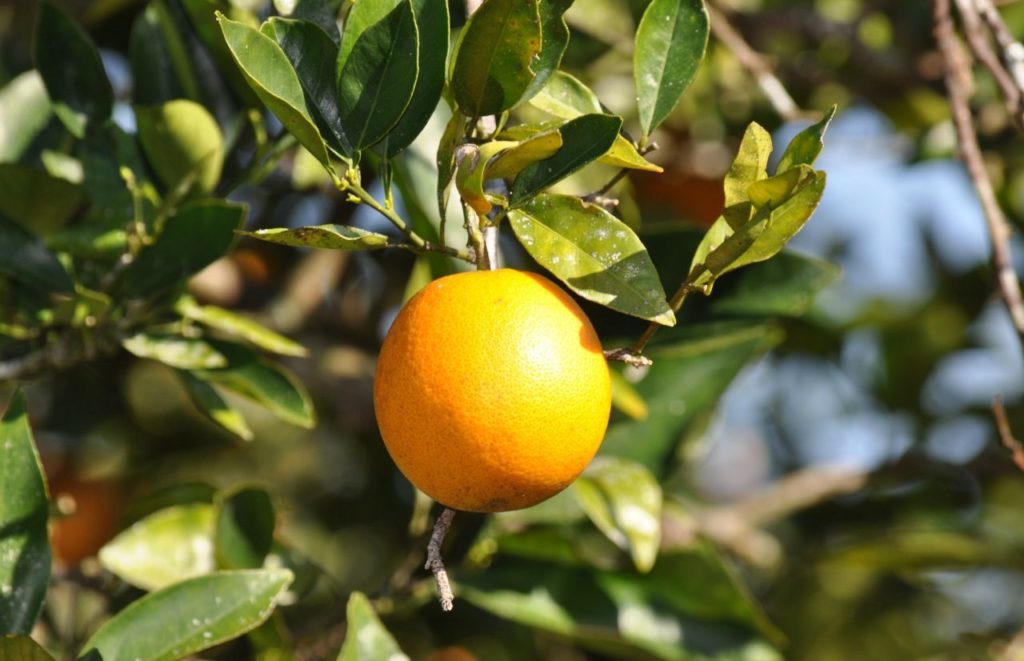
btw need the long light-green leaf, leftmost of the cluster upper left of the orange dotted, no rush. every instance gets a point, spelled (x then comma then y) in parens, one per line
(271, 75)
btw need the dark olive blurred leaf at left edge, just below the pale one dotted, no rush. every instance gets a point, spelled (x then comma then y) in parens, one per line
(41, 203)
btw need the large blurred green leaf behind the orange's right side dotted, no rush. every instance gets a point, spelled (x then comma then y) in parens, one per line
(689, 377)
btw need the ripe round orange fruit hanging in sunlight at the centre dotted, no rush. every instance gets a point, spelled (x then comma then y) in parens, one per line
(492, 391)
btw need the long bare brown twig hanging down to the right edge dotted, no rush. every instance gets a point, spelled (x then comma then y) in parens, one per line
(999, 230)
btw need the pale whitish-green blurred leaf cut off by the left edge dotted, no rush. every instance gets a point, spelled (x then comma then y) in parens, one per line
(25, 111)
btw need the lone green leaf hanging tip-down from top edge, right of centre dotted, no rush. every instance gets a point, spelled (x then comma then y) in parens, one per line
(670, 45)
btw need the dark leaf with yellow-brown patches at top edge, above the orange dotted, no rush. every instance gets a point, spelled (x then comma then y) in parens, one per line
(495, 56)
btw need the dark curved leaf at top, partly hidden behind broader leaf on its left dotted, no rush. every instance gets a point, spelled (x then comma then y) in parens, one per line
(433, 22)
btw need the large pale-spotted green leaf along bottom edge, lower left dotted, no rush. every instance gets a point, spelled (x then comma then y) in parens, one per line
(191, 616)
